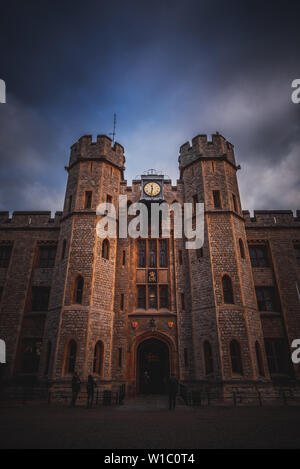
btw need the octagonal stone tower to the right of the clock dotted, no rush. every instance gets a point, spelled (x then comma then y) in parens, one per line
(226, 323)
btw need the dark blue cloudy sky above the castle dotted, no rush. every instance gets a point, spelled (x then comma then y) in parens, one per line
(169, 69)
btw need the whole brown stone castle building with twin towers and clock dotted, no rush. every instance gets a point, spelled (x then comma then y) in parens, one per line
(218, 317)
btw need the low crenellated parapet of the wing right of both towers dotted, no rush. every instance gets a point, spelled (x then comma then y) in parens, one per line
(272, 218)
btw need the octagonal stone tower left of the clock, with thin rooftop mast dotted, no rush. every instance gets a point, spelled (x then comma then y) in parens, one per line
(81, 304)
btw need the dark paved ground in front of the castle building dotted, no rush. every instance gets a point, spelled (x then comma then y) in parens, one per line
(146, 423)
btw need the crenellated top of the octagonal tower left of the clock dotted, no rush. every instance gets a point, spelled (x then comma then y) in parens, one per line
(85, 147)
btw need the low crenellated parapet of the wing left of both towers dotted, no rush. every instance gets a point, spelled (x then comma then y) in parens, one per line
(30, 219)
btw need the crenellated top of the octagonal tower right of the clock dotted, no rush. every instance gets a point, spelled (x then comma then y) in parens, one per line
(201, 146)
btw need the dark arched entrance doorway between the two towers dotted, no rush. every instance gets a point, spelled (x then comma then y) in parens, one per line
(153, 358)
